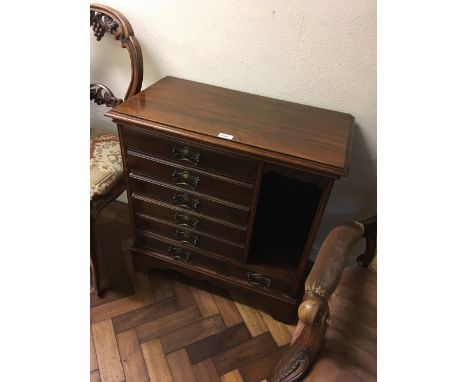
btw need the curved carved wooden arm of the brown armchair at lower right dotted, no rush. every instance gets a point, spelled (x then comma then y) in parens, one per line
(314, 312)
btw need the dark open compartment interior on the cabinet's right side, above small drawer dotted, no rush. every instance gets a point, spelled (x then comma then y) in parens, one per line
(285, 211)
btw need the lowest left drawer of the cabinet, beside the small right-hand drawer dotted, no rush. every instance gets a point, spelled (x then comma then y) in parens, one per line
(183, 255)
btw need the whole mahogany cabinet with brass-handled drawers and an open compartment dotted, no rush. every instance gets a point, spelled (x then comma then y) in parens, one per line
(229, 187)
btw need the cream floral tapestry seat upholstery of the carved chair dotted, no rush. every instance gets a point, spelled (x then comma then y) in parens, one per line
(106, 162)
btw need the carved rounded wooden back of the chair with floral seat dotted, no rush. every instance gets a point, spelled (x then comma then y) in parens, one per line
(104, 19)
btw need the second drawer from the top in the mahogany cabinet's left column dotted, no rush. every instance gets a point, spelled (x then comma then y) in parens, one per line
(180, 176)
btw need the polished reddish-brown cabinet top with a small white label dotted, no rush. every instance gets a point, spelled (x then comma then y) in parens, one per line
(295, 134)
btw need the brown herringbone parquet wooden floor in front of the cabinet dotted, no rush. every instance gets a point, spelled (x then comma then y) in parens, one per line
(163, 326)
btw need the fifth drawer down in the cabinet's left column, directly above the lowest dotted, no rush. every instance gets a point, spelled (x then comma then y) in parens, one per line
(189, 237)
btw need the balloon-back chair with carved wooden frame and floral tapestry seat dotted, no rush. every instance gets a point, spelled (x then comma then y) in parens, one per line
(106, 179)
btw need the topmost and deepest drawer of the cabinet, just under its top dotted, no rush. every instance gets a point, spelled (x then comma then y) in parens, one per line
(185, 152)
